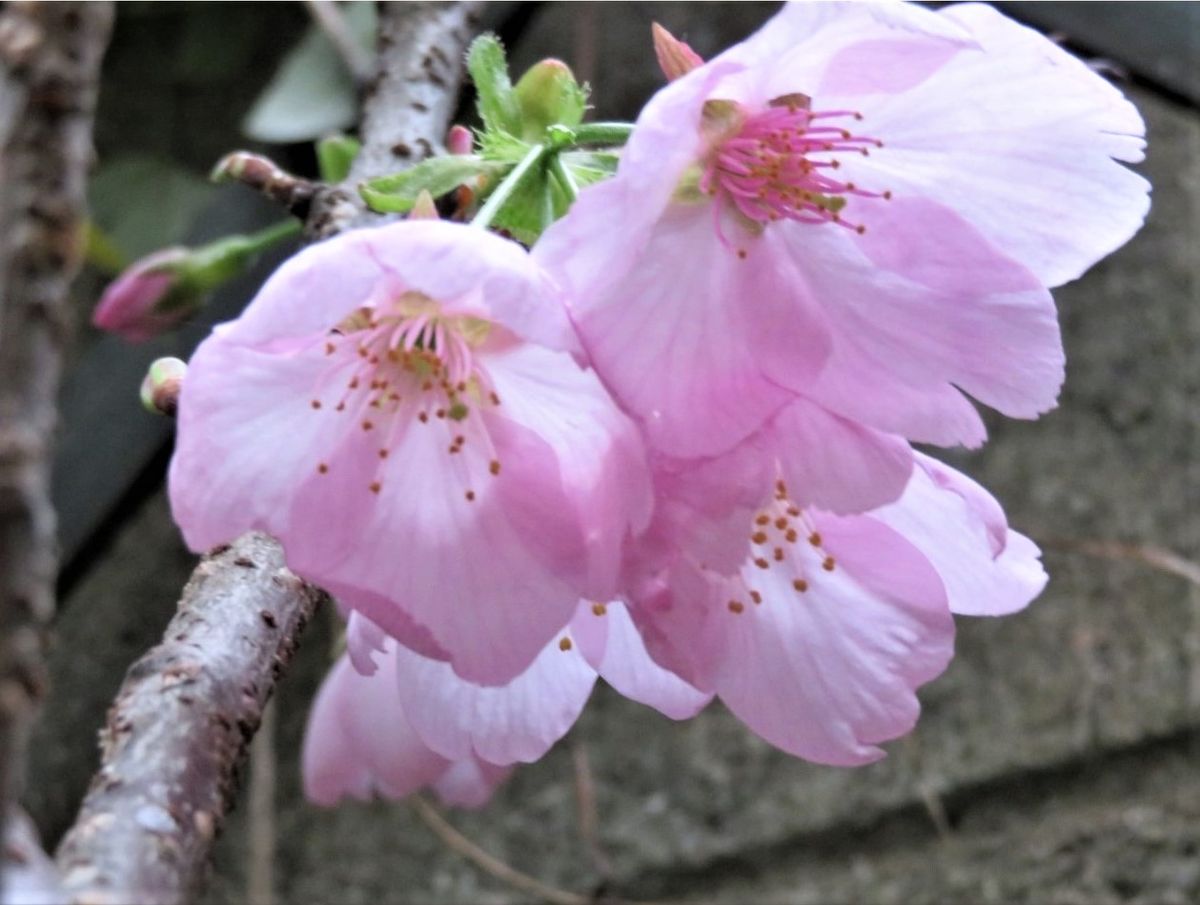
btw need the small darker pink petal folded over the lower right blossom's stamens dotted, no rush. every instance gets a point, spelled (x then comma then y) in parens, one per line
(836, 464)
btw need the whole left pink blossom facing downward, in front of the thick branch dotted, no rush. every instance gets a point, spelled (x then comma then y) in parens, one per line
(400, 407)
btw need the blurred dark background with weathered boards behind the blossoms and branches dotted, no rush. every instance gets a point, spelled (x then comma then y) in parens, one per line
(1058, 760)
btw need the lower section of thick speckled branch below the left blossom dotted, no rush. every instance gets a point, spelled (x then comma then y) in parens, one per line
(181, 728)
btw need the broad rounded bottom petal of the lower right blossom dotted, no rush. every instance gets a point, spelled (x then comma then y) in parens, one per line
(831, 673)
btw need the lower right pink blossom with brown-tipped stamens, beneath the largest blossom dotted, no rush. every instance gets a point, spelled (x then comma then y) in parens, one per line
(817, 630)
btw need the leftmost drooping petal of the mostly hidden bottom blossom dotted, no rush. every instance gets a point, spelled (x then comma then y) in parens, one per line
(358, 741)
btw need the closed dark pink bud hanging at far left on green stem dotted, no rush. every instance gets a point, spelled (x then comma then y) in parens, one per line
(145, 301)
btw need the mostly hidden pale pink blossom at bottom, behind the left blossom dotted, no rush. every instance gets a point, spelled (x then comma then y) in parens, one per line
(411, 722)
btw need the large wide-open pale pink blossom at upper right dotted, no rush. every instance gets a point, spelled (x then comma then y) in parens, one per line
(861, 206)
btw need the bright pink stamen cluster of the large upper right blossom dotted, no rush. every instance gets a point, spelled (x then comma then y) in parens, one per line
(783, 163)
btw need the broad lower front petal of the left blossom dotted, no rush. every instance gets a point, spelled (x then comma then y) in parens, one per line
(493, 578)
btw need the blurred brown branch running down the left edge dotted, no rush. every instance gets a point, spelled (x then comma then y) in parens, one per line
(50, 67)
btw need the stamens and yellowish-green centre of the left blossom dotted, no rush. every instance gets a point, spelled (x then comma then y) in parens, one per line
(404, 362)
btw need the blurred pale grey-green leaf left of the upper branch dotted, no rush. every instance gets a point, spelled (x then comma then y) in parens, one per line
(313, 94)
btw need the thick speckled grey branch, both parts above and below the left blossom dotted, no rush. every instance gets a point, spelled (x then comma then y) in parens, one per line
(178, 734)
